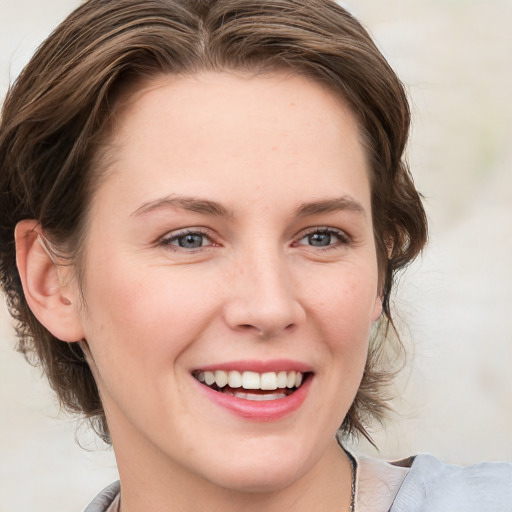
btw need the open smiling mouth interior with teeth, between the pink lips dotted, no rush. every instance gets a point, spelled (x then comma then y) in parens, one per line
(252, 385)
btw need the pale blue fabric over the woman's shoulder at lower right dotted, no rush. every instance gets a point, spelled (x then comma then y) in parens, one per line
(432, 486)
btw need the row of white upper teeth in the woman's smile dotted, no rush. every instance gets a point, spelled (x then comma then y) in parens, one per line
(251, 380)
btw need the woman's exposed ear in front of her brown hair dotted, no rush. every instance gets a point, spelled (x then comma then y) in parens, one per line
(48, 283)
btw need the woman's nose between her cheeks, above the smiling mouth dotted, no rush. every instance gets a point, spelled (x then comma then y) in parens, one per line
(263, 297)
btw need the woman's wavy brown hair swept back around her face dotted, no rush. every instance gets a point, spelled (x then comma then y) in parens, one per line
(57, 115)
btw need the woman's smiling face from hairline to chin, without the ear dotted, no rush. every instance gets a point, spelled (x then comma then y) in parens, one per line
(230, 239)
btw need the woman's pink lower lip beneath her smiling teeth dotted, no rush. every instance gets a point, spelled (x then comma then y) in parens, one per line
(267, 410)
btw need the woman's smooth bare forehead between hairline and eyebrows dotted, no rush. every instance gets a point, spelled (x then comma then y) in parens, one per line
(192, 131)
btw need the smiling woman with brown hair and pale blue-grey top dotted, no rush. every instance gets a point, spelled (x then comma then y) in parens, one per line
(209, 205)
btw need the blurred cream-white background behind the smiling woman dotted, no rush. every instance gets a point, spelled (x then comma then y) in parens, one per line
(454, 304)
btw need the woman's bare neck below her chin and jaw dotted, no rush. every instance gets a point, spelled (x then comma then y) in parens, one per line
(327, 486)
